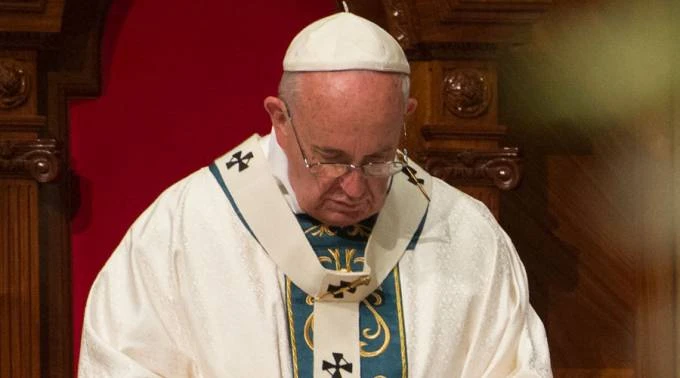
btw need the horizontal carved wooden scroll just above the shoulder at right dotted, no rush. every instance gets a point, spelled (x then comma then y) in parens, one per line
(501, 169)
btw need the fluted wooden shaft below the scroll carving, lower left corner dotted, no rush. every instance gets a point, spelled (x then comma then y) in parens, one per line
(19, 279)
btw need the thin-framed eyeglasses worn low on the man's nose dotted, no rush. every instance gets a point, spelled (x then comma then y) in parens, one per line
(335, 170)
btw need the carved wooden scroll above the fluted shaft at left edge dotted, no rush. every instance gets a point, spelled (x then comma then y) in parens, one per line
(38, 159)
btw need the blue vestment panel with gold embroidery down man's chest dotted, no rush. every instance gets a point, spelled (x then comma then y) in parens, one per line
(383, 342)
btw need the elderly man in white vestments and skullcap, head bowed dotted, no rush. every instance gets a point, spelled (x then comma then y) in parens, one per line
(318, 250)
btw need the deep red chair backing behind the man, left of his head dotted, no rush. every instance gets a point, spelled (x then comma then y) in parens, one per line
(183, 82)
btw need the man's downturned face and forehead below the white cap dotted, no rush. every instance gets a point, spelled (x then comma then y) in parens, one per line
(351, 117)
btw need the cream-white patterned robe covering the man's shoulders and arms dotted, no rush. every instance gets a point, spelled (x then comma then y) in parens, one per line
(190, 293)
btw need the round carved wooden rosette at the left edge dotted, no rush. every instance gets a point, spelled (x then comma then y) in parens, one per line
(15, 84)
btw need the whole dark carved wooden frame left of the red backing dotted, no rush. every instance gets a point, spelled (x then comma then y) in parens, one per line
(49, 50)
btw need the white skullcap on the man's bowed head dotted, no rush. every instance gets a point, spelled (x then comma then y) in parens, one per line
(345, 41)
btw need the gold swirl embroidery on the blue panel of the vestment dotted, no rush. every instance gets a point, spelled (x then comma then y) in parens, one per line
(381, 328)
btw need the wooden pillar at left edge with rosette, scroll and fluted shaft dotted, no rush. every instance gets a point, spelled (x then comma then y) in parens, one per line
(24, 160)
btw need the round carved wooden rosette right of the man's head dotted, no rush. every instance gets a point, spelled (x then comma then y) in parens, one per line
(466, 92)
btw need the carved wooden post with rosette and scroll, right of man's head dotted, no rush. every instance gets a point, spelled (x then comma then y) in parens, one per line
(456, 133)
